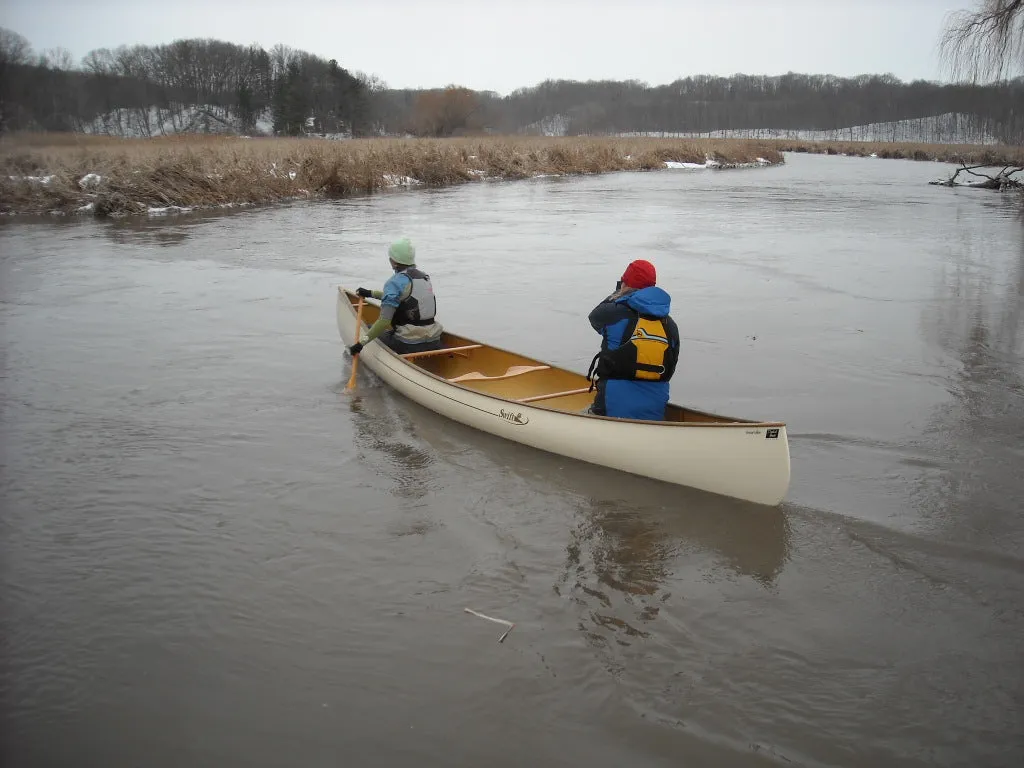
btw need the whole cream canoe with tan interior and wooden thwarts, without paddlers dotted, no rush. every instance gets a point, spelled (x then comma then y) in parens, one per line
(540, 405)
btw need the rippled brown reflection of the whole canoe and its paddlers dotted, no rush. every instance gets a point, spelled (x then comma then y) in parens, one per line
(632, 543)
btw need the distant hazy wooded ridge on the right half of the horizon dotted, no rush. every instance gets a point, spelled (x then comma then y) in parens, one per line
(705, 104)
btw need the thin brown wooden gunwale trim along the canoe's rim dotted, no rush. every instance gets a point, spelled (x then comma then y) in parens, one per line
(728, 422)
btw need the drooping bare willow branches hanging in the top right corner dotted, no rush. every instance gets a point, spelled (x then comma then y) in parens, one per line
(988, 42)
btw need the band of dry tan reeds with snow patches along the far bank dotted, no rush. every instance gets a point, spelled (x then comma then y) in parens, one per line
(67, 174)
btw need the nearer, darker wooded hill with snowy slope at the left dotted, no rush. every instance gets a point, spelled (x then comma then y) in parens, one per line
(300, 91)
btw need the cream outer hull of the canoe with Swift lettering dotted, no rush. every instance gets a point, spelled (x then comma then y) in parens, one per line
(747, 460)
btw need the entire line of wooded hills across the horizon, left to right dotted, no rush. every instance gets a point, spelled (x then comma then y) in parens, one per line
(215, 86)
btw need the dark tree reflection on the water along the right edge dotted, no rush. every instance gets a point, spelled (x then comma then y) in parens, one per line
(976, 320)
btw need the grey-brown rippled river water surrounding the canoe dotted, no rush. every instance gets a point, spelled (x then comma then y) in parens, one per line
(212, 556)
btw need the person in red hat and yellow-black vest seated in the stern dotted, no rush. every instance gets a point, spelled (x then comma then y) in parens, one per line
(639, 350)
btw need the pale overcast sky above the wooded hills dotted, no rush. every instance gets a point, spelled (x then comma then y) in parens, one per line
(502, 46)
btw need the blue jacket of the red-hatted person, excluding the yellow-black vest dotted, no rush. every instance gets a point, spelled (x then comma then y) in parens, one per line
(629, 399)
